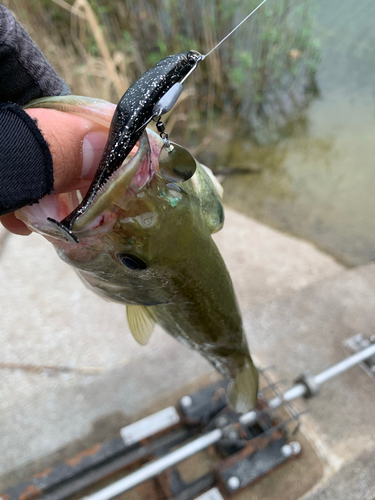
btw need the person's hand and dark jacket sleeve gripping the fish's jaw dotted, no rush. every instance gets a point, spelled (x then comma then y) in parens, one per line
(29, 168)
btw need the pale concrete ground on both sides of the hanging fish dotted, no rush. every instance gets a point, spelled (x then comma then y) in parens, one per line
(298, 305)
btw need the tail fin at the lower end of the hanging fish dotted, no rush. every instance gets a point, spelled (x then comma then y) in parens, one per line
(243, 391)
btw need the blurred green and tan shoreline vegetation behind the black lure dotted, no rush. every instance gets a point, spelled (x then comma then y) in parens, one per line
(260, 77)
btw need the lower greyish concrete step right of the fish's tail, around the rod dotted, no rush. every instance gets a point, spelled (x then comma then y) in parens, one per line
(305, 329)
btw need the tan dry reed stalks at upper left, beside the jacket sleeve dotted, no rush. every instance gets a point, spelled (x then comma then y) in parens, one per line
(105, 75)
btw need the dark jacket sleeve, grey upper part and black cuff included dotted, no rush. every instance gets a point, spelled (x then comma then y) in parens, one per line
(26, 173)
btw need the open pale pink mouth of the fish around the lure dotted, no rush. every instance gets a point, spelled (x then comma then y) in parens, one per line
(136, 170)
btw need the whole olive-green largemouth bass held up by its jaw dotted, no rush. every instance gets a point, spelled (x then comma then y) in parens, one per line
(146, 243)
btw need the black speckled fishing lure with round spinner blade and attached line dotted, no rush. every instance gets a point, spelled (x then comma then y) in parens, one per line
(152, 95)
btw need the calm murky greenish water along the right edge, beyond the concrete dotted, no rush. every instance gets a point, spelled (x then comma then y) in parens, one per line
(318, 182)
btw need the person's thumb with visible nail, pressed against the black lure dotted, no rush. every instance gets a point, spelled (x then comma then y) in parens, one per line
(76, 146)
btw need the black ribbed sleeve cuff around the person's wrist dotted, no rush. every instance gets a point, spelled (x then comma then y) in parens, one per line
(26, 173)
